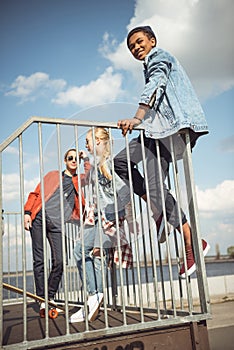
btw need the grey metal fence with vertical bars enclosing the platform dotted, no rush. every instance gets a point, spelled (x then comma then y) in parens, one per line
(151, 290)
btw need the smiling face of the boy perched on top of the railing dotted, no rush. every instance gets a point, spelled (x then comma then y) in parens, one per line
(140, 45)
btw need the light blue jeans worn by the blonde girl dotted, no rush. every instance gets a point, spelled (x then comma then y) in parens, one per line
(92, 264)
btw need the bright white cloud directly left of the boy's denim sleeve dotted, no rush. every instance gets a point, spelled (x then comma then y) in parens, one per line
(103, 90)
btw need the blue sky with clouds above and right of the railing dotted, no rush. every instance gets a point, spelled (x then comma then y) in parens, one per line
(56, 53)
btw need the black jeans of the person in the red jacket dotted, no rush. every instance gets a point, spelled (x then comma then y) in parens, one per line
(54, 236)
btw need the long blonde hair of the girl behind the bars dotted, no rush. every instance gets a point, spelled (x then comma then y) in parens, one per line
(103, 134)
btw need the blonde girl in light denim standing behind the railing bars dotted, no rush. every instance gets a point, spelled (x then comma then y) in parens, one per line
(98, 145)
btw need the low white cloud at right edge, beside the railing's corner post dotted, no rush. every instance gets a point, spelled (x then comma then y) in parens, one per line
(217, 201)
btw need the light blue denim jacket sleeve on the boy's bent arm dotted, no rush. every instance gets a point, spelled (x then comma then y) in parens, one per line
(157, 71)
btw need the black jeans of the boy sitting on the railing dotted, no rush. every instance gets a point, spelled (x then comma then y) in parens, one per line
(135, 151)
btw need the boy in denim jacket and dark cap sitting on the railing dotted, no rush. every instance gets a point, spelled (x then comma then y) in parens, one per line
(167, 105)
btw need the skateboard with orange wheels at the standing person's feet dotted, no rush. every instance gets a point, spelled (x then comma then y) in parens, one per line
(52, 313)
